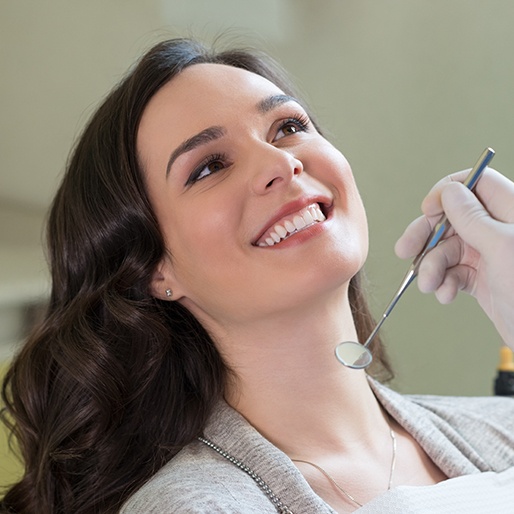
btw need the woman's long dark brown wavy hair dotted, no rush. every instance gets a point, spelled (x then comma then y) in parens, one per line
(113, 382)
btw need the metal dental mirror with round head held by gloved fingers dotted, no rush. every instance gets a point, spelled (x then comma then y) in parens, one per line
(358, 356)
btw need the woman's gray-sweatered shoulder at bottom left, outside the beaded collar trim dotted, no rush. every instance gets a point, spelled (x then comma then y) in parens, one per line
(198, 481)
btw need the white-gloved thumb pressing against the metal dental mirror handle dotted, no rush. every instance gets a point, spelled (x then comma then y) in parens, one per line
(467, 215)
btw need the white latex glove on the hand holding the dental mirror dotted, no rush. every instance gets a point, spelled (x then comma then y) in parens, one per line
(477, 254)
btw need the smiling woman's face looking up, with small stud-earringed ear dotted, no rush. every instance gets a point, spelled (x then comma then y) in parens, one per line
(259, 212)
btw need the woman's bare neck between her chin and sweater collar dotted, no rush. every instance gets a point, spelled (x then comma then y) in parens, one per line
(292, 389)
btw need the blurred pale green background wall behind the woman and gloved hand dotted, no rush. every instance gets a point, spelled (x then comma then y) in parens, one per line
(409, 90)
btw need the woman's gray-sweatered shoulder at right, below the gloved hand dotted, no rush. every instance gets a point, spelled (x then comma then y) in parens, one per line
(465, 433)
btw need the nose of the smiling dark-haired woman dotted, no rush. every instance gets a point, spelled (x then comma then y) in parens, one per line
(273, 167)
